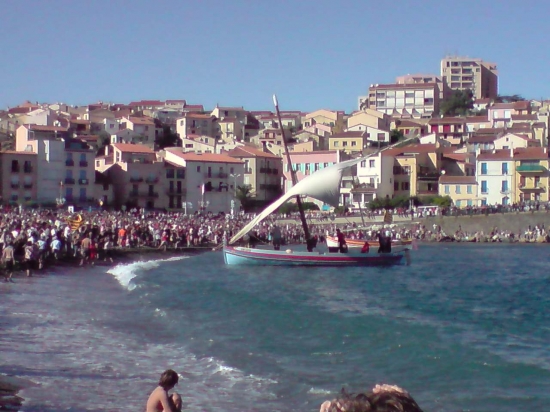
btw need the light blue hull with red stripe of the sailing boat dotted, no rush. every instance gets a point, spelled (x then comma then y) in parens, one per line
(261, 257)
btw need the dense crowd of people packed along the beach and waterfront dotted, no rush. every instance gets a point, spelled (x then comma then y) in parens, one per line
(34, 238)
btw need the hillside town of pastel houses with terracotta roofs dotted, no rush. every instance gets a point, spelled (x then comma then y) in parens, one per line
(176, 156)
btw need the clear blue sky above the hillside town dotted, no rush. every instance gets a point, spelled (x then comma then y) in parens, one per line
(312, 54)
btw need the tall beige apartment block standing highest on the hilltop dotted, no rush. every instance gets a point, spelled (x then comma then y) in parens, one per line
(465, 73)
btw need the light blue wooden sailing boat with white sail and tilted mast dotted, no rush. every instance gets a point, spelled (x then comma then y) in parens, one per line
(323, 185)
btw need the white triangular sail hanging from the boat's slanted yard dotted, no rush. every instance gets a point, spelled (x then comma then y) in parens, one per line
(322, 185)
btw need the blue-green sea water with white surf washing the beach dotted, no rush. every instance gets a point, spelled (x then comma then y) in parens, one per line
(466, 327)
